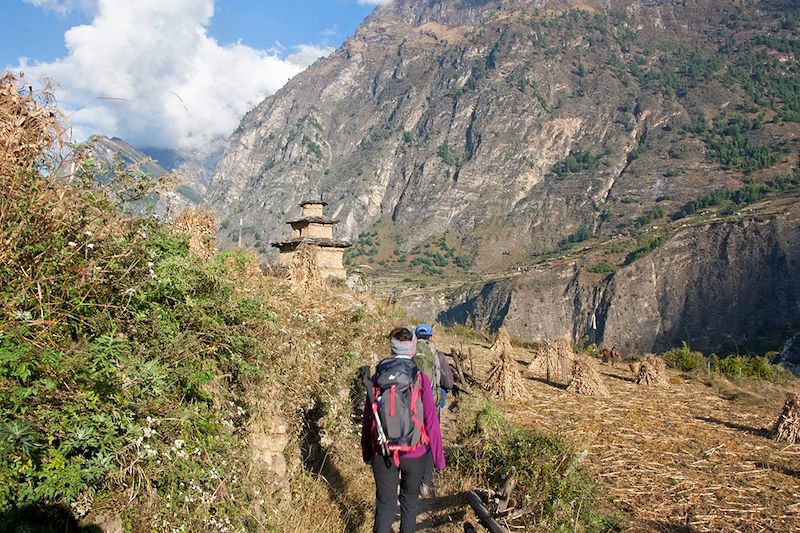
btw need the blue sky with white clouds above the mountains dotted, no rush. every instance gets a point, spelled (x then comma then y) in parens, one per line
(169, 73)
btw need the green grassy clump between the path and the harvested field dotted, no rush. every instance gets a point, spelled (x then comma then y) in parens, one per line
(550, 480)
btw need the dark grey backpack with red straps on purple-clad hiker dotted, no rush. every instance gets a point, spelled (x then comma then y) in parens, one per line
(398, 393)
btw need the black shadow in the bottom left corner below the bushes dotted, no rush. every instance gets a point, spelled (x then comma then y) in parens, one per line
(43, 519)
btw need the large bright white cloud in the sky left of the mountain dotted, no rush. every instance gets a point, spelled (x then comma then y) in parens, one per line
(148, 72)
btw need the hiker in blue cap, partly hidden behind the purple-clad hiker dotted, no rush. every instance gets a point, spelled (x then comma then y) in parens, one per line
(433, 363)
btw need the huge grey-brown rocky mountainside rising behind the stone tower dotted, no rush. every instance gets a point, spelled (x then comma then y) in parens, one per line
(462, 116)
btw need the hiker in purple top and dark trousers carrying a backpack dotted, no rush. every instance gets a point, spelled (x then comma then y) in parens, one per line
(400, 428)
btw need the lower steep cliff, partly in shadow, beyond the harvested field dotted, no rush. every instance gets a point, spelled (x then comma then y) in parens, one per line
(724, 286)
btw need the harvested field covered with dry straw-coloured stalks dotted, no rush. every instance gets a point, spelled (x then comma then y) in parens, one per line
(677, 458)
